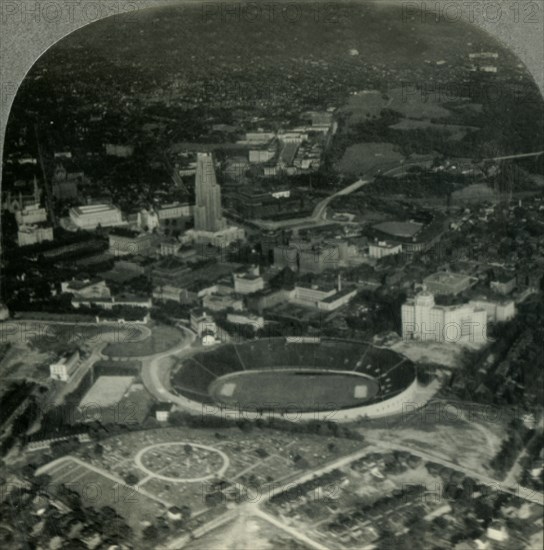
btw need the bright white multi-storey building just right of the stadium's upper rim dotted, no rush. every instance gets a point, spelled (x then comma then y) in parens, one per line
(423, 320)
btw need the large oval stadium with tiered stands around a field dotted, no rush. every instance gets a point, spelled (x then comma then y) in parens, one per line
(298, 377)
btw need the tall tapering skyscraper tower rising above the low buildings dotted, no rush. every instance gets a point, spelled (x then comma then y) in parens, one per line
(208, 196)
